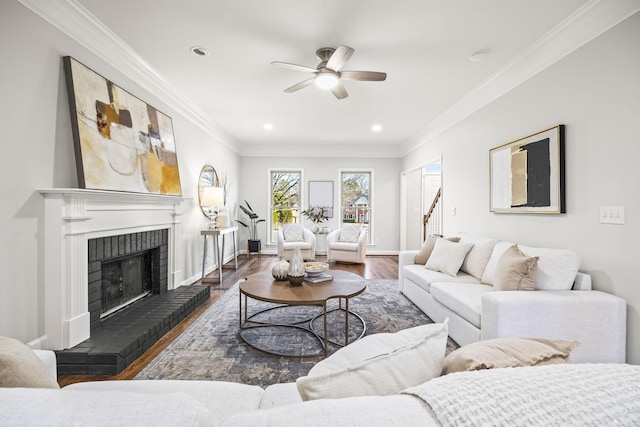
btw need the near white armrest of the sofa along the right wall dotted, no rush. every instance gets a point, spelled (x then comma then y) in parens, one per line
(597, 319)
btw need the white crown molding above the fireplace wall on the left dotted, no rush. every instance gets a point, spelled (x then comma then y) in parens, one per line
(79, 24)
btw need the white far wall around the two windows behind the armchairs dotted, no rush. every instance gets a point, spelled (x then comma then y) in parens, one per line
(254, 188)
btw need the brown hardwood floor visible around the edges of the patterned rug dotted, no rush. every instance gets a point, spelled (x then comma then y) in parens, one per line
(374, 267)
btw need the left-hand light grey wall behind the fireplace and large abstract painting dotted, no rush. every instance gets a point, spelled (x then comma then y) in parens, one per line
(37, 152)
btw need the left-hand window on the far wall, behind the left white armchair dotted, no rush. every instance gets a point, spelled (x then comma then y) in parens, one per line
(286, 191)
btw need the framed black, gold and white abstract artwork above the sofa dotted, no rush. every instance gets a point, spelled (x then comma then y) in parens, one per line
(527, 175)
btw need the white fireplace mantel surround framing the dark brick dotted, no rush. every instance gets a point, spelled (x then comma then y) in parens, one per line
(72, 217)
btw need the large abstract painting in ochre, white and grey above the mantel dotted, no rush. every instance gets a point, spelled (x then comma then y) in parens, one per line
(121, 143)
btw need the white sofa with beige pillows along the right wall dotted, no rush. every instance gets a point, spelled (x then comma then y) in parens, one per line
(563, 306)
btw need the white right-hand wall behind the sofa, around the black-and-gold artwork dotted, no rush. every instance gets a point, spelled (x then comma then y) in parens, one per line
(595, 92)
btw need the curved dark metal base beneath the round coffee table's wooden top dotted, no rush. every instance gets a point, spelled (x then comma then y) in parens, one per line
(248, 322)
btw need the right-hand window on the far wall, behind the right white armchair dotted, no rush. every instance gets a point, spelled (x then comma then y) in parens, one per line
(355, 191)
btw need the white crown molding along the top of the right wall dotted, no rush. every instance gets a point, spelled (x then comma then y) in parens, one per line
(582, 26)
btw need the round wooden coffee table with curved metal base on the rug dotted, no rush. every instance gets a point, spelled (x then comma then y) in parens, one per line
(263, 287)
